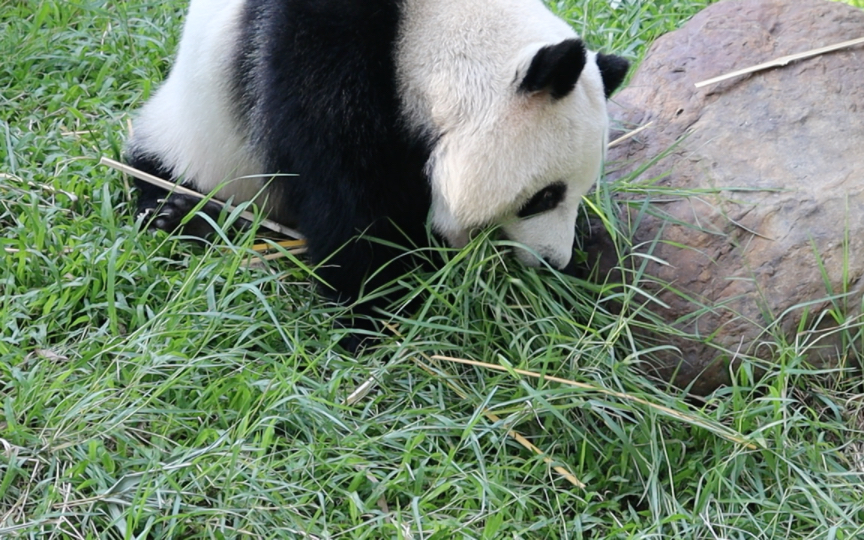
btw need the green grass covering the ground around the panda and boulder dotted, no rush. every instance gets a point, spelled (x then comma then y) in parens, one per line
(154, 389)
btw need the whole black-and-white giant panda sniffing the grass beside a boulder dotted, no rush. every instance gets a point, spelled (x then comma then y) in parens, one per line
(358, 120)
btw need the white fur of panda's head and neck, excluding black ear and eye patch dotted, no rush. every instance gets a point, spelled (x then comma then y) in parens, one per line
(458, 63)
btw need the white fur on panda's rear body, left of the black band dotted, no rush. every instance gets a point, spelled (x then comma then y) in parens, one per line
(189, 122)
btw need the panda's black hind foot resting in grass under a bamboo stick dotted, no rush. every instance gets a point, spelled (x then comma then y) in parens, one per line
(167, 211)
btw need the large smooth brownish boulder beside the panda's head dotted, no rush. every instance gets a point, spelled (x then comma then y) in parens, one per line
(769, 234)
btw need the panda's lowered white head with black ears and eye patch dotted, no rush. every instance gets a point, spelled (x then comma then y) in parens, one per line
(521, 147)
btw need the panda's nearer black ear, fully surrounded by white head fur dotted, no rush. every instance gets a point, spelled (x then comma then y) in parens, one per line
(555, 69)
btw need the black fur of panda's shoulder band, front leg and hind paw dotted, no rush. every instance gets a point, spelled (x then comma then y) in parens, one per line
(315, 89)
